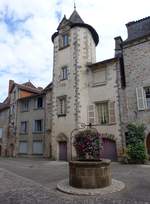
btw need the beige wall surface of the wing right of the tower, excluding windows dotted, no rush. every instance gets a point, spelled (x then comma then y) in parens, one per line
(107, 92)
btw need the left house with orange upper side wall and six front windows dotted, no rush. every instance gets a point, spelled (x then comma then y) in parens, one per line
(27, 133)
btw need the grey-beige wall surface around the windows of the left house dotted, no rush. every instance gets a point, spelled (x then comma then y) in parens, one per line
(30, 116)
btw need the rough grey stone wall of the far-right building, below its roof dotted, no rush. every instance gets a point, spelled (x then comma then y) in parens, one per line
(137, 71)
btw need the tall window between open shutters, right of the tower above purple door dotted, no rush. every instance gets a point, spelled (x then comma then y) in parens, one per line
(103, 113)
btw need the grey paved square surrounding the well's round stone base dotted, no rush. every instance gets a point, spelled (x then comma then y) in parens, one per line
(24, 181)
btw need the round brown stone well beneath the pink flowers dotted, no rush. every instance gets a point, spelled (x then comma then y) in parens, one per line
(90, 174)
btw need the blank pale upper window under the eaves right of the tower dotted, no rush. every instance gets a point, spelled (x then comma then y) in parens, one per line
(99, 76)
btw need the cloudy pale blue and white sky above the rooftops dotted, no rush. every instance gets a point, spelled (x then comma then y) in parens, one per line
(26, 26)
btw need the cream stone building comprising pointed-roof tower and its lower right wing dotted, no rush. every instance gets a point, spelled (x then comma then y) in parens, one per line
(83, 91)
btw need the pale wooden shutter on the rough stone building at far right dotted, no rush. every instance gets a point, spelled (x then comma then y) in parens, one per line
(141, 98)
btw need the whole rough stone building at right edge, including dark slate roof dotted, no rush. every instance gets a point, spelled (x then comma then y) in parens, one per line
(135, 95)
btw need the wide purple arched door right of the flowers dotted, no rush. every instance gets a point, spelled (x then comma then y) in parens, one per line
(109, 149)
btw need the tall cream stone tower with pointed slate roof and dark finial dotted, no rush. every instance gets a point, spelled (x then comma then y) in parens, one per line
(74, 48)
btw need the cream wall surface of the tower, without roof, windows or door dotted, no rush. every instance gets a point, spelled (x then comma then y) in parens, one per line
(76, 56)
